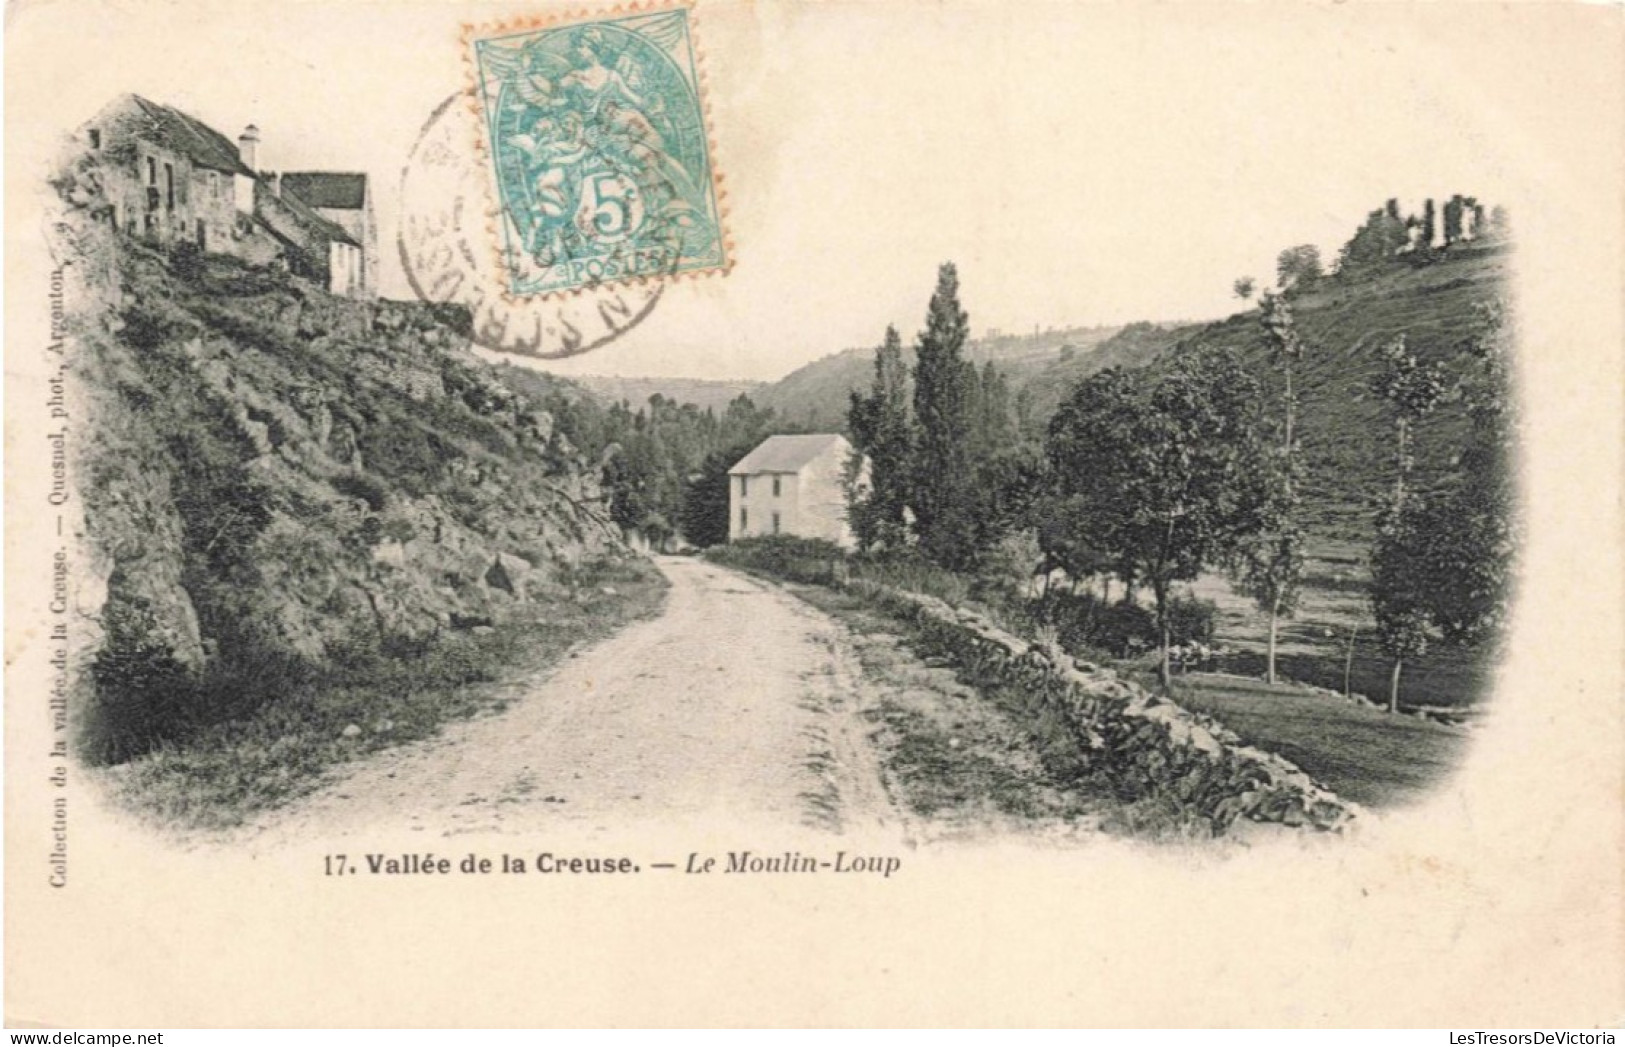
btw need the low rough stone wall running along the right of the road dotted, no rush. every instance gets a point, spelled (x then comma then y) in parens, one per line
(1145, 747)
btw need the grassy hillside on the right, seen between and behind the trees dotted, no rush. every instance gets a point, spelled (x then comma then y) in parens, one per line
(1346, 435)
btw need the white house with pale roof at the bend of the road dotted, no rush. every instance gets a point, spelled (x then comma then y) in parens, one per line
(792, 485)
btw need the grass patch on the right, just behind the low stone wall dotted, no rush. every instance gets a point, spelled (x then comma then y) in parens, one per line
(1361, 754)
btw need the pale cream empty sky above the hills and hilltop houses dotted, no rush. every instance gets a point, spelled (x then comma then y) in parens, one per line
(1080, 163)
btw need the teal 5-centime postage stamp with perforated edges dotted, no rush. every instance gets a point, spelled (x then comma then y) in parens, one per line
(599, 154)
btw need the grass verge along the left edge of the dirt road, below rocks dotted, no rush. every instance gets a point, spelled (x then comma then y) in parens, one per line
(233, 771)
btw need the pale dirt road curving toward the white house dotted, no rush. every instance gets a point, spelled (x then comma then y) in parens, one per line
(739, 705)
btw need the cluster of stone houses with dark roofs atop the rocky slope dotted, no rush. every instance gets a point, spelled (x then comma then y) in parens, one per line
(168, 178)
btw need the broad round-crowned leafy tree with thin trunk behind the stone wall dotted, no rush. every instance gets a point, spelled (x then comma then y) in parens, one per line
(1166, 471)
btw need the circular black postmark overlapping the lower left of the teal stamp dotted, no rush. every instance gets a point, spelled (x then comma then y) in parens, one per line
(449, 251)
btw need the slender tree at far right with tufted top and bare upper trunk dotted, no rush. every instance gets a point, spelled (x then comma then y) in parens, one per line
(1403, 558)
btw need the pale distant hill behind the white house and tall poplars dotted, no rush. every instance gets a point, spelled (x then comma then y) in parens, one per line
(818, 394)
